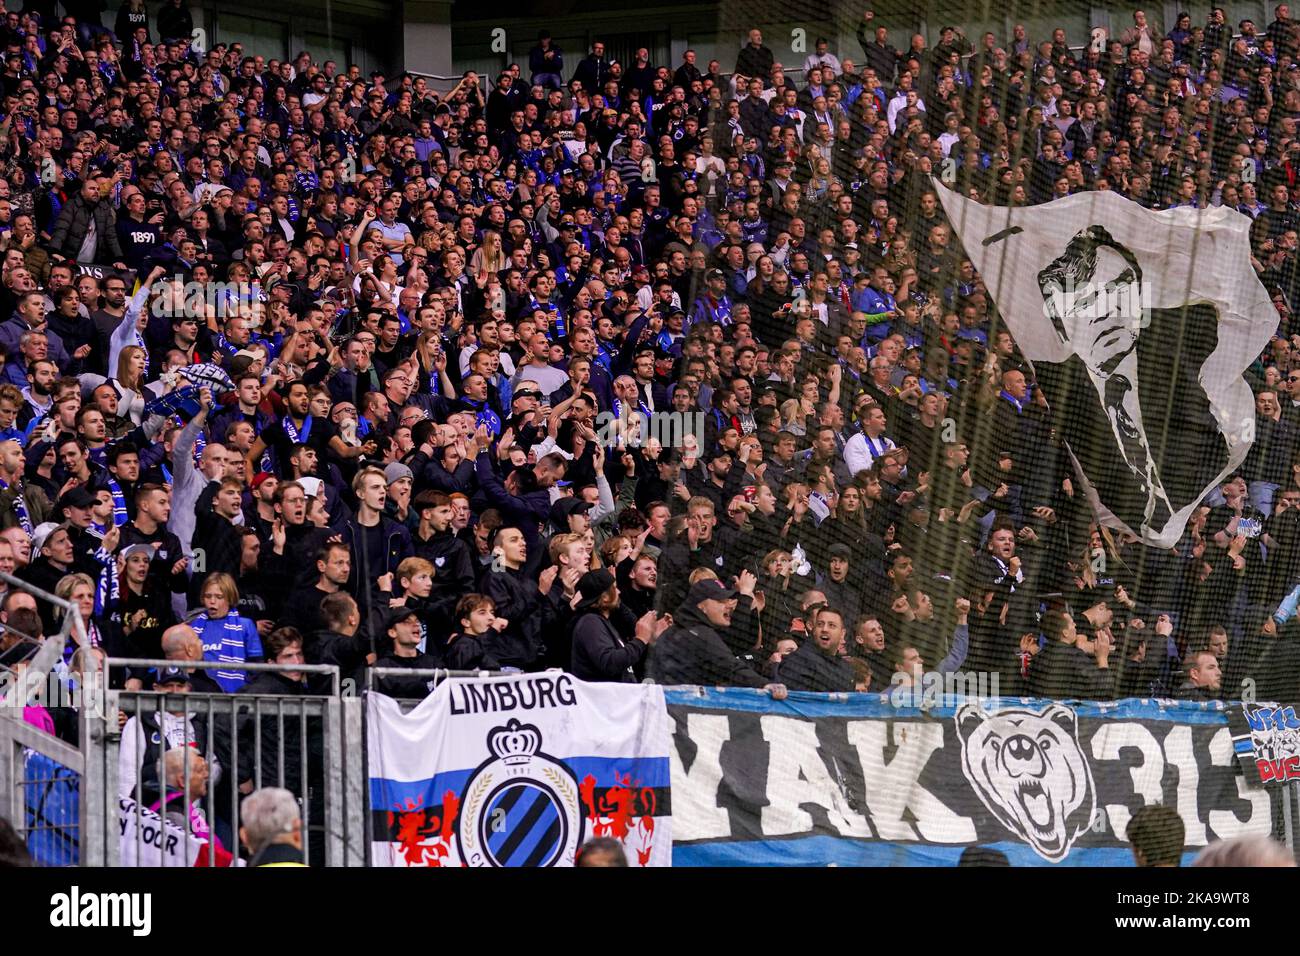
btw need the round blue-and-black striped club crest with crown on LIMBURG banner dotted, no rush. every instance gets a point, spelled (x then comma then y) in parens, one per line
(521, 806)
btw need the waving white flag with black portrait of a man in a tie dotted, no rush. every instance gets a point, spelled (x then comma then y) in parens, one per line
(1139, 326)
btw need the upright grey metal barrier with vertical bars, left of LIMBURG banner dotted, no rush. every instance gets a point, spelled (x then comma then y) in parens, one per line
(309, 745)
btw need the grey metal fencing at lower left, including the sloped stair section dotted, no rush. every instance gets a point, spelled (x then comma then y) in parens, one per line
(119, 801)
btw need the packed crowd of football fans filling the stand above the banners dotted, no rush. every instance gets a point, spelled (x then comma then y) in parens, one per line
(636, 370)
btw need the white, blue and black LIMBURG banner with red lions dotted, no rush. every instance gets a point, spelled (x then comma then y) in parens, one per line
(521, 772)
